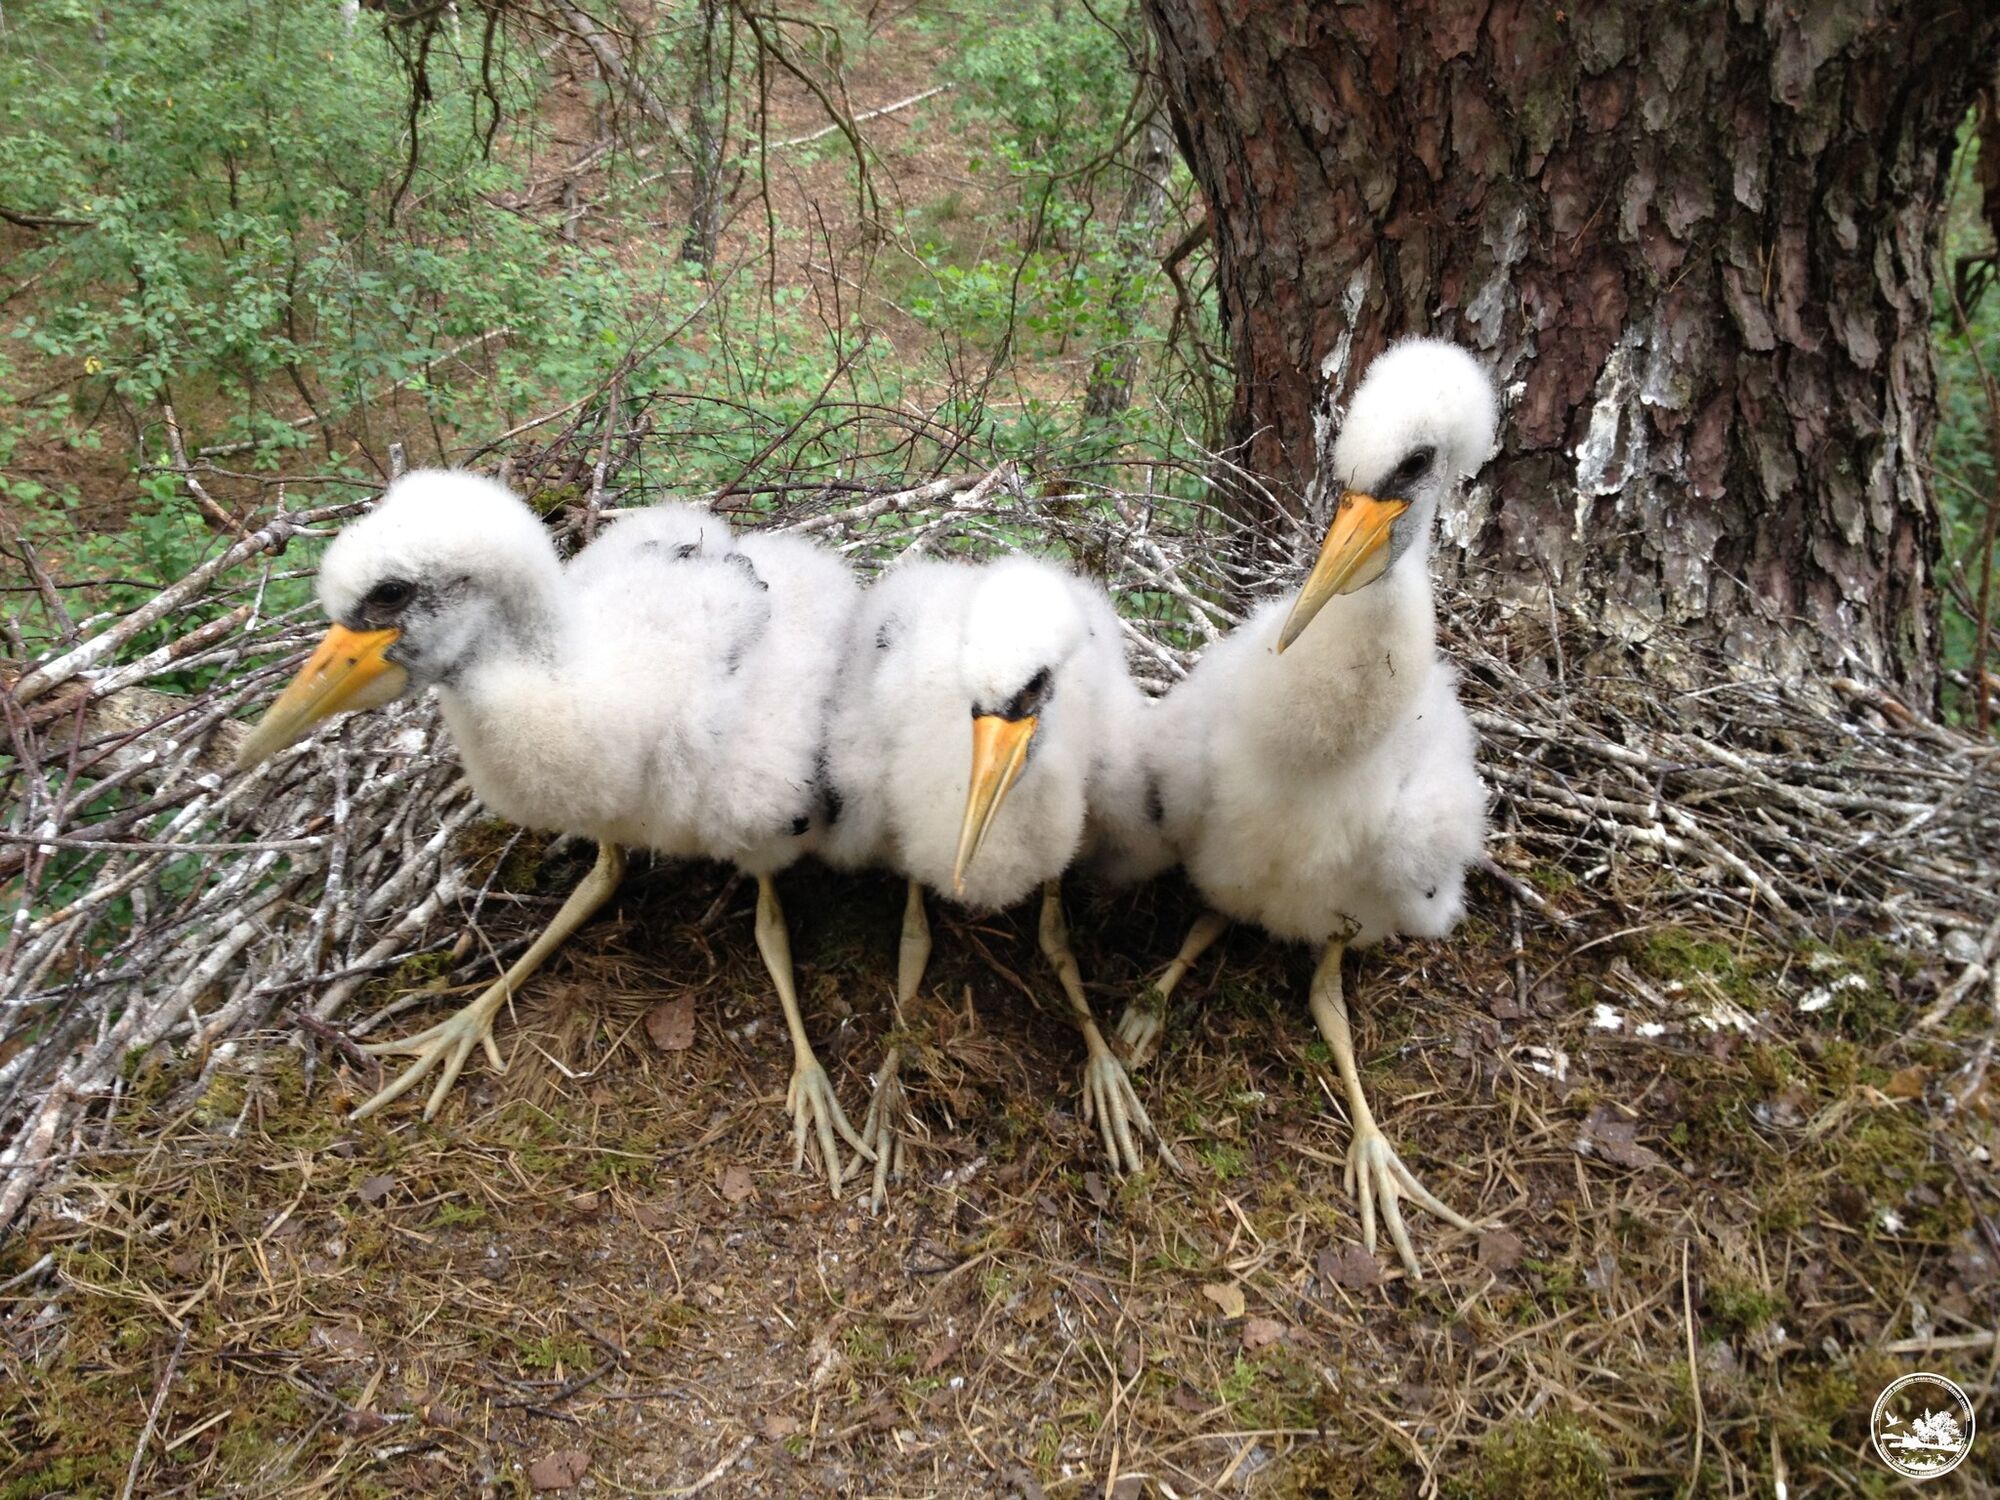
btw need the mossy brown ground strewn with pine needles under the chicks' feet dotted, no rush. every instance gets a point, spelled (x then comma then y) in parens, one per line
(1723, 1219)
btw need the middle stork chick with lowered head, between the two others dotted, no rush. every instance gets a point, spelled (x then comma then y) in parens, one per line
(985, 739)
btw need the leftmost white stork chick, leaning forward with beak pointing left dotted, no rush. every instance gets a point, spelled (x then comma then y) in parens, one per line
(665, 691)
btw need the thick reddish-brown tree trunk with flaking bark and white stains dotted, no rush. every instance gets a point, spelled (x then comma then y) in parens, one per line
(1695, 241)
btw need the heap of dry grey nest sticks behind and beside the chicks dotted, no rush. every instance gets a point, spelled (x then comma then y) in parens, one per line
(159, 899)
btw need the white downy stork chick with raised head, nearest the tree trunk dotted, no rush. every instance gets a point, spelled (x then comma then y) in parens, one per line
(1319, 773)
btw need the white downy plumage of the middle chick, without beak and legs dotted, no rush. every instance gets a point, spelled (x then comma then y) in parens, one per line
(931, 645)
